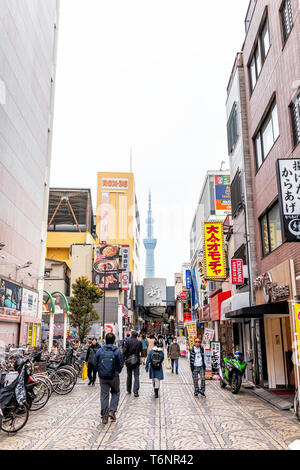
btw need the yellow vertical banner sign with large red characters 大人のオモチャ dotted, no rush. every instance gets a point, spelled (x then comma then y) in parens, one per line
(214, 251)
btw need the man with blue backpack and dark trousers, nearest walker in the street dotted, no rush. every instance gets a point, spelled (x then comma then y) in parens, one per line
(109, 364)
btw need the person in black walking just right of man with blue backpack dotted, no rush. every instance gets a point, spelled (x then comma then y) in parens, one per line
(132, 358)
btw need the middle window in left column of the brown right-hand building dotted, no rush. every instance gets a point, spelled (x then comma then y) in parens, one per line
(267, 135)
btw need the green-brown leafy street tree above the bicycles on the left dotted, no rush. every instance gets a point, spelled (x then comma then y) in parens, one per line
(81, 303)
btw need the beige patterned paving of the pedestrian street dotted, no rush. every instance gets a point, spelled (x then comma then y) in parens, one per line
(176, 421)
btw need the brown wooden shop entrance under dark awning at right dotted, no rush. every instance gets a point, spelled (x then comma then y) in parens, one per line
(279, 352)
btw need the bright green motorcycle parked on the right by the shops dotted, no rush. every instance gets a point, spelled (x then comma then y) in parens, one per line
(231, 372)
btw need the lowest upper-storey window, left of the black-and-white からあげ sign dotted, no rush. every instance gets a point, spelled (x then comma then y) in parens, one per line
(271, 230)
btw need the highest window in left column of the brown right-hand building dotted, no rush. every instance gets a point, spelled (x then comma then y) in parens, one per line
(260, 51)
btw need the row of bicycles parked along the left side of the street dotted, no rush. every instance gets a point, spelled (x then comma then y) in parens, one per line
(38, 376)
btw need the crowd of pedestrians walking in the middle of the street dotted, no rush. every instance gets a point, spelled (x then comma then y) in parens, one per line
(108, 361)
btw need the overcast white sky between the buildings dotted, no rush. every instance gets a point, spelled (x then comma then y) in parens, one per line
(151, 75)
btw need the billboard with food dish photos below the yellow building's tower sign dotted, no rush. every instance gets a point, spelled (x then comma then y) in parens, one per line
(106, 257)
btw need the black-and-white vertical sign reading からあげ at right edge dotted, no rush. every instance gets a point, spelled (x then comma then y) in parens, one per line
(288, 177)
